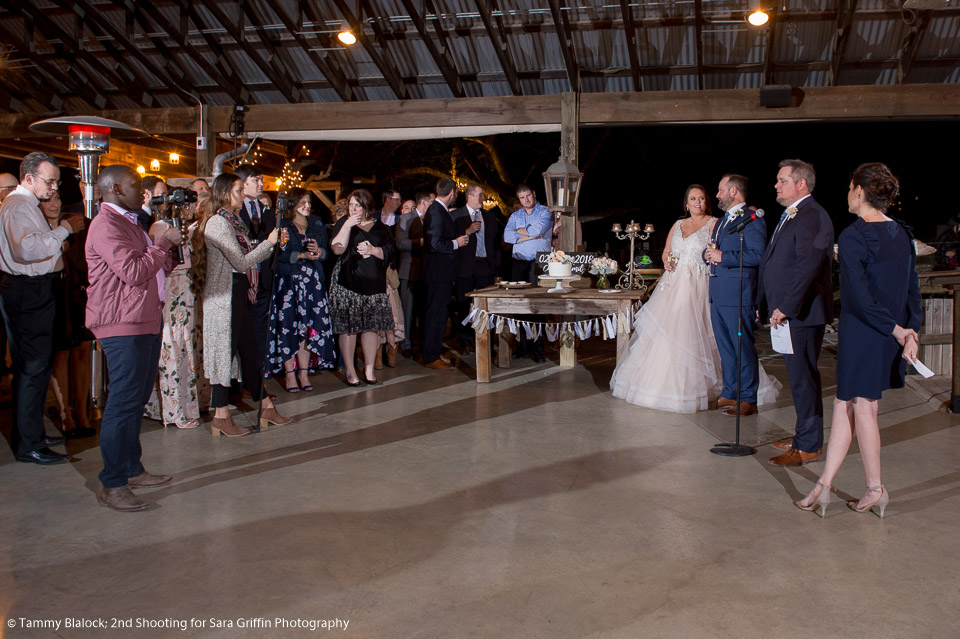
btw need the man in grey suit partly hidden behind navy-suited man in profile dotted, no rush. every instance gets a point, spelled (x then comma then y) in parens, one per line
(409, 238)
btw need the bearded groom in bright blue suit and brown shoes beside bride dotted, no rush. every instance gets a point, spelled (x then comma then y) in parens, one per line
(726, 305)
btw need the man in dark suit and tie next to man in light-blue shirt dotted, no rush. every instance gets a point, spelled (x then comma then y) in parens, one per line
(478, 261)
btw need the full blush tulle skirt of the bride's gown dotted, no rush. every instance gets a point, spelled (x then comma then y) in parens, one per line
(672, 363)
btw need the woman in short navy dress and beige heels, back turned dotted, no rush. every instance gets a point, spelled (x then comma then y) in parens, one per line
(880, 315)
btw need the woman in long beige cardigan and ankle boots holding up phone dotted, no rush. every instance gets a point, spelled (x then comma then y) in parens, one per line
(225, 269)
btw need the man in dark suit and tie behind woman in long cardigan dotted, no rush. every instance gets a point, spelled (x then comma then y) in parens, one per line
(261, 220)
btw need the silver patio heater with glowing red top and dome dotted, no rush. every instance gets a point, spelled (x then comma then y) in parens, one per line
(89, 137)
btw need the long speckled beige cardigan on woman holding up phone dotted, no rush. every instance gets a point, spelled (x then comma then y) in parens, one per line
(224, 256)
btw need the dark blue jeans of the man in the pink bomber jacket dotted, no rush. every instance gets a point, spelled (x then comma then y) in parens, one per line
(132, 363)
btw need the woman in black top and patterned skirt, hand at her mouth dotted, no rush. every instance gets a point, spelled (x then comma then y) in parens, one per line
(358, 299)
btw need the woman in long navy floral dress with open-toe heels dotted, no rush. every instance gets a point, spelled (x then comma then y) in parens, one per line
(302, 333)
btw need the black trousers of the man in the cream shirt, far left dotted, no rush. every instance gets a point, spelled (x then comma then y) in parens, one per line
(28, 308)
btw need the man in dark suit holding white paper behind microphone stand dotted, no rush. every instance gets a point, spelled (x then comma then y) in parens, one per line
(795, 289)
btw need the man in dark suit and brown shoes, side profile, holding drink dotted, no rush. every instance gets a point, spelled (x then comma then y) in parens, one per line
(440, 242)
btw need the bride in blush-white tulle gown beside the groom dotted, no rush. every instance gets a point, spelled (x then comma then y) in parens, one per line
(673, 363)
